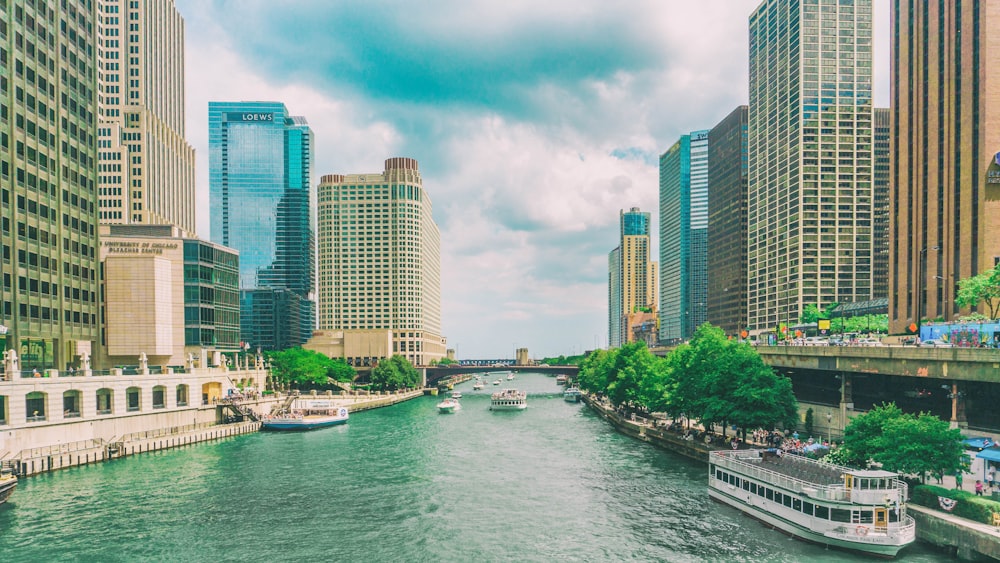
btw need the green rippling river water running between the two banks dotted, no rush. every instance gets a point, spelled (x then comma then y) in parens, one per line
(404, 483)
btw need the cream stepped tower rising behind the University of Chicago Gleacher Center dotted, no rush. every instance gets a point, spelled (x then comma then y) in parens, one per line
(146, 165)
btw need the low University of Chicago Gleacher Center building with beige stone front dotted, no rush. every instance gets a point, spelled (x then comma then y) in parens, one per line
(167, 295)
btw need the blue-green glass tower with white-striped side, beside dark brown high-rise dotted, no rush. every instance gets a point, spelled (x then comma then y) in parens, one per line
(684, 237)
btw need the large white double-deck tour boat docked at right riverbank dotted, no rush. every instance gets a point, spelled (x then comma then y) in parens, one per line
(857, 510)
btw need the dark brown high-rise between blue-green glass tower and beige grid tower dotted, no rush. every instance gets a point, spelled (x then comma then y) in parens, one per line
(727, 223)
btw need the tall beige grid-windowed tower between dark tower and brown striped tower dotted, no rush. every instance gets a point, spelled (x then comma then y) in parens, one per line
(810, 158)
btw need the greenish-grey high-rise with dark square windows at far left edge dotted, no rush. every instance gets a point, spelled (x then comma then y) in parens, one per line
(48, 192)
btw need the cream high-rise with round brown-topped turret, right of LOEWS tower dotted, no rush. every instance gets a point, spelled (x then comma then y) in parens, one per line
(379, 259)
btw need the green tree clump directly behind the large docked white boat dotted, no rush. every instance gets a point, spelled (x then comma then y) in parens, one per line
(906, 443)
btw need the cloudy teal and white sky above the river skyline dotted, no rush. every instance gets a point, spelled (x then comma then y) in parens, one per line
(534, 124)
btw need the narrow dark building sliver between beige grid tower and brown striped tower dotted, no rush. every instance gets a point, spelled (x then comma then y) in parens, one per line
(880, 203)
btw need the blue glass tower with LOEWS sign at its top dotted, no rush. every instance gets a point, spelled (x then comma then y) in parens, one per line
(260, 162)
